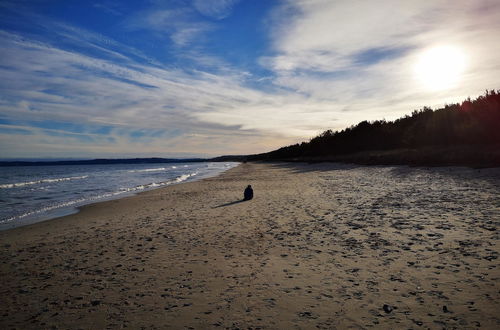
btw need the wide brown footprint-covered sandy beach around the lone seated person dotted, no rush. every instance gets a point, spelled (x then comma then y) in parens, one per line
(320, 246)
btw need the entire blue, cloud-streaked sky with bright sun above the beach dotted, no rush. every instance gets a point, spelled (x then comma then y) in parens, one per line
(201, 78)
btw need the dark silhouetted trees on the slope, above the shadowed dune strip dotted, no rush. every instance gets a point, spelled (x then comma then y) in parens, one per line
(469, 123)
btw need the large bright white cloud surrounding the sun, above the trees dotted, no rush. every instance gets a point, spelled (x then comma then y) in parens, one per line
(362, 53)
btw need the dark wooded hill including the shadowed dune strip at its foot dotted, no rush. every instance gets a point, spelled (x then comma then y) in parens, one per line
(458, 134)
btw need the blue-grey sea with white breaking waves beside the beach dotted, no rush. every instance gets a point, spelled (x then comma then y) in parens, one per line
(30, 194)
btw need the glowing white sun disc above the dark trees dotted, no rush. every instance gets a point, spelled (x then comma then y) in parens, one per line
(440, 68)
